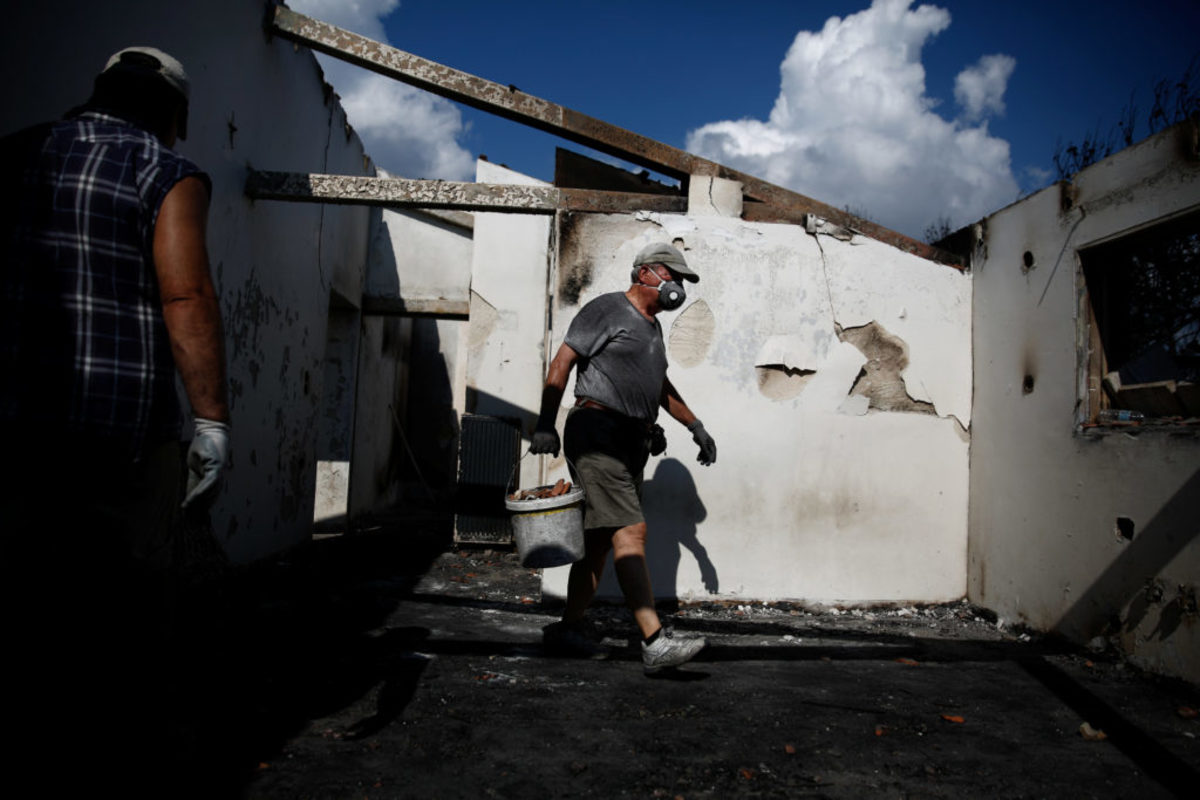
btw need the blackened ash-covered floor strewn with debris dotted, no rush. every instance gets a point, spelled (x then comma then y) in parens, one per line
(392, 665)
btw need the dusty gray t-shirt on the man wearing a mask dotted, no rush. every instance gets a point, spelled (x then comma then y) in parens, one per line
(623, 362)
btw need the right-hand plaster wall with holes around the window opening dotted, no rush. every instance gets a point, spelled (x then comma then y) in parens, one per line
(1045, 501)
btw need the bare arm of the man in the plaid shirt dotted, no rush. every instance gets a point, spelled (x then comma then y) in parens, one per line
(190, 305)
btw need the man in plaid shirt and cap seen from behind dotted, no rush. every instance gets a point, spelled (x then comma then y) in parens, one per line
(106, 297)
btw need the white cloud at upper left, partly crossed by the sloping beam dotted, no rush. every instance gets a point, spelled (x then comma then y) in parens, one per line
(406, 131)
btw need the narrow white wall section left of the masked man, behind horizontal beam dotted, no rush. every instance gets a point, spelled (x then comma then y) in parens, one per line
(506, 358)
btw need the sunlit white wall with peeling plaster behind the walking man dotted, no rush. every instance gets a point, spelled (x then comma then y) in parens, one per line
(813, 498)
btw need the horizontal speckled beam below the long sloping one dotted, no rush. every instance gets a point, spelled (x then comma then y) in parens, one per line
(400, 193)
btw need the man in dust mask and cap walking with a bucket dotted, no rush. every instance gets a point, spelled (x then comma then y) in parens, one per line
(616, 345)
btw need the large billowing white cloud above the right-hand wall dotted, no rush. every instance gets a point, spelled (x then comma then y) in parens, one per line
(853, 127)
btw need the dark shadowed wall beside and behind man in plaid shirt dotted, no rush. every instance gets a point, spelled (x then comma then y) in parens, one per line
(256, 103)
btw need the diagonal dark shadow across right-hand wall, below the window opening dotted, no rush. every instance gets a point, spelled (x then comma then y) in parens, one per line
(1132, 575)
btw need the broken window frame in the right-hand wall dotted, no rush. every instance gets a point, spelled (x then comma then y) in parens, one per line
(1097, 383)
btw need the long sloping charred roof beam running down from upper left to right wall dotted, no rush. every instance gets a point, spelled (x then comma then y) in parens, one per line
(767, 202)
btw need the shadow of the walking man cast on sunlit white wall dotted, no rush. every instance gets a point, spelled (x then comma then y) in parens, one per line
(674, 510)
